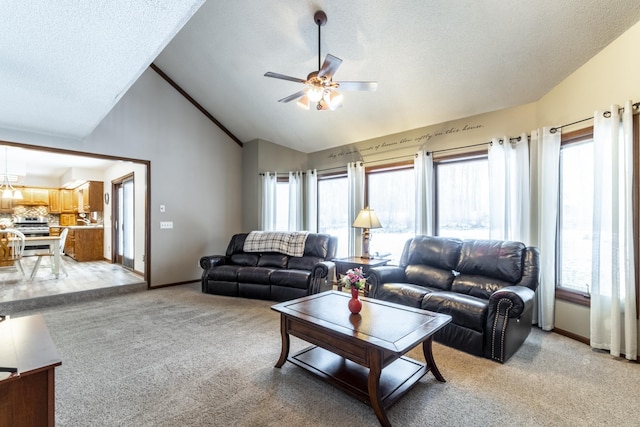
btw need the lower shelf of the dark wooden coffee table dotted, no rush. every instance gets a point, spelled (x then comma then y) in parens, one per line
(395, 380)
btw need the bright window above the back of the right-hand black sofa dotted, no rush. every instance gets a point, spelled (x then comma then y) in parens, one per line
(462, 198)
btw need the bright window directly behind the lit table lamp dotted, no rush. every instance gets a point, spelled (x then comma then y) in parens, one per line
(391, 194)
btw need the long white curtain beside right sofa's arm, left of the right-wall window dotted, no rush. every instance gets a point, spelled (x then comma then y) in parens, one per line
(545, 158)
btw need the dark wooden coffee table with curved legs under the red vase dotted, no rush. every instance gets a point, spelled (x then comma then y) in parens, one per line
(362, 354)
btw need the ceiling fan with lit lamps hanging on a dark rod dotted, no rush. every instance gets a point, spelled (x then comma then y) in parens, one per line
(321, 88)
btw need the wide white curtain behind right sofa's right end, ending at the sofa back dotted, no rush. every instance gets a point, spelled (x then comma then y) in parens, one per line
(509, 198)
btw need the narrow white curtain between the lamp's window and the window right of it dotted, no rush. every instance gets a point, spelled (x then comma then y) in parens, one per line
(423, 169)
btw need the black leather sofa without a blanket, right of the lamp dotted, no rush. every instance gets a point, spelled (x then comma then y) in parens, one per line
(487, 286)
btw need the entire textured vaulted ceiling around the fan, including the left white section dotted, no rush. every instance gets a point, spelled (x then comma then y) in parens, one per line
(65, 64)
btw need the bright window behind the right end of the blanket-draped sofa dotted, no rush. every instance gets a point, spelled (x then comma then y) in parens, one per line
(332, 212)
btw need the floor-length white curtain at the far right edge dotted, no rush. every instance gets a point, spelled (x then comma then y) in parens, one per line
(613, 308)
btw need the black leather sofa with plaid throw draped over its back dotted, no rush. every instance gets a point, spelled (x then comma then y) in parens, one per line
(270, 275)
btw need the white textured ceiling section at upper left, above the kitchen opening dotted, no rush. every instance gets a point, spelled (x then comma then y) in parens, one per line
(65, 63)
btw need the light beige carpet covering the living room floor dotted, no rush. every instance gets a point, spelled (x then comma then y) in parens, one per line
(177, 357)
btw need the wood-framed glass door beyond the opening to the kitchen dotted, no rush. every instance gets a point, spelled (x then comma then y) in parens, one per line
(123, 228)
